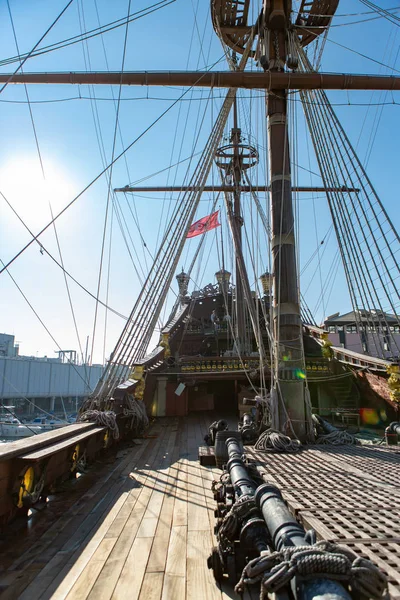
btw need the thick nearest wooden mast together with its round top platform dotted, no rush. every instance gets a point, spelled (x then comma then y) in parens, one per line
(288, 395)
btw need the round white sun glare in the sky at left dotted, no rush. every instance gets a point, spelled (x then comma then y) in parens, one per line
(30, 193)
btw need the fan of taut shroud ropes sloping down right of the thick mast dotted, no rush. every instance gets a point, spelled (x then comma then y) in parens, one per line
(368, 242)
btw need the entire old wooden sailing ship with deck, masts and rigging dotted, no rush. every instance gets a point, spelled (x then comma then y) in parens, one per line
(144, 526)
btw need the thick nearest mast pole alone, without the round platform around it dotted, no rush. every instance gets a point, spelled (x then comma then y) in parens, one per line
(289, 366)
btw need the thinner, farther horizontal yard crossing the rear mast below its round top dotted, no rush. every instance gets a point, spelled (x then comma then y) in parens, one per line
(228, 188)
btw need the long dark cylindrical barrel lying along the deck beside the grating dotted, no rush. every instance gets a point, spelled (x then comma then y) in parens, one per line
(252, 521)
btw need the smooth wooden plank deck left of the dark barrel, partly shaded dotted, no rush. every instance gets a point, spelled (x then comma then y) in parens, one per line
(143, 530)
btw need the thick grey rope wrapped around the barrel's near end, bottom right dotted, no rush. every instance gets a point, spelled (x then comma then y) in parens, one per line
(323, 559)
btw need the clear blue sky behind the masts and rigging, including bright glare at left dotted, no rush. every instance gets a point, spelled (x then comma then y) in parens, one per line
(170, 39)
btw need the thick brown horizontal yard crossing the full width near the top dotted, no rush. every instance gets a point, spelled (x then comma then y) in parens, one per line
(218, 79)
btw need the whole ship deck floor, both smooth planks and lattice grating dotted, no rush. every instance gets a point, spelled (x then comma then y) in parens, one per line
(141, 526)
